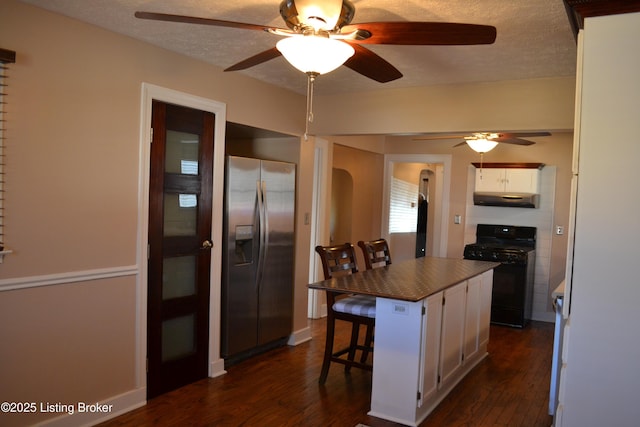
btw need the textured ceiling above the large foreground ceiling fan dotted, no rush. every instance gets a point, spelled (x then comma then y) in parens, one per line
(534, 38)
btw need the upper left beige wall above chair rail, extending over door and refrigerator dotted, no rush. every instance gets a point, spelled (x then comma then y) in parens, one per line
(75, 123)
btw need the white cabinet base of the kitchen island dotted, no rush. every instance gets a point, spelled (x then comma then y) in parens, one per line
(424, 349)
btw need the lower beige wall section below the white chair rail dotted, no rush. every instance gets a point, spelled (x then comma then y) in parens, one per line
(67, 343)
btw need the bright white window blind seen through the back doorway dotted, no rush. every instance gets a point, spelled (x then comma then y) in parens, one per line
(403, 209)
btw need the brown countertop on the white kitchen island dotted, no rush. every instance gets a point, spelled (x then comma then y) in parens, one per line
(411, 280)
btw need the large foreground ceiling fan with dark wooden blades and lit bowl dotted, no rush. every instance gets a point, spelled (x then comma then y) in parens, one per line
(328, 22)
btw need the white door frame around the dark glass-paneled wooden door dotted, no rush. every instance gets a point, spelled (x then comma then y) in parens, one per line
(149, 93)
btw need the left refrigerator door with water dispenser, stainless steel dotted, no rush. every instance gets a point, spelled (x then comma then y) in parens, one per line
(240, 256)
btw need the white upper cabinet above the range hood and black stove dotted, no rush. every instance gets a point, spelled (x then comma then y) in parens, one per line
(509, 180)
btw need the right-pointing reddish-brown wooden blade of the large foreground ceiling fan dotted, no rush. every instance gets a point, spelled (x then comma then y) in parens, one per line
(424, 33)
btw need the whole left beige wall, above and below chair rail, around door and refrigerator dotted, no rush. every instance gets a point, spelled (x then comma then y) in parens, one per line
(72, 205)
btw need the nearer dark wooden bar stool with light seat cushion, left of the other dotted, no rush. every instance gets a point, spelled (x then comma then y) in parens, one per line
(356, 309)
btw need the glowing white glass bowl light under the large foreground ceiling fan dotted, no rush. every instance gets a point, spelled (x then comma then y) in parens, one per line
(314, 54)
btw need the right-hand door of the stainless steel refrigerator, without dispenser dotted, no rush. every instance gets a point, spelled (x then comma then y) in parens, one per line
(276, 284)
